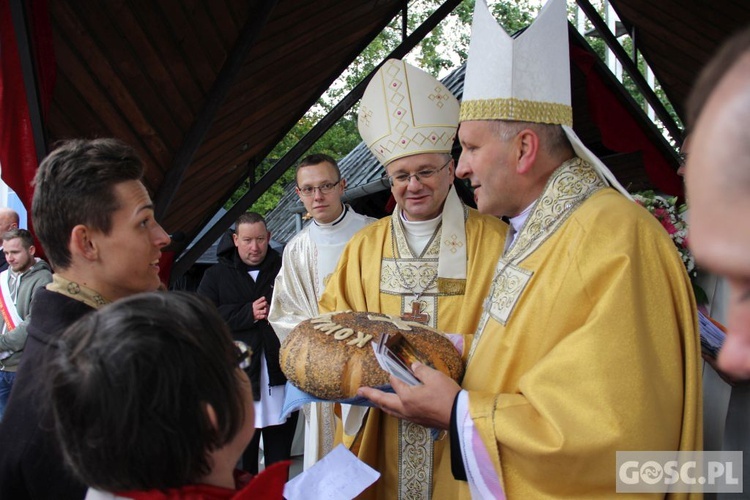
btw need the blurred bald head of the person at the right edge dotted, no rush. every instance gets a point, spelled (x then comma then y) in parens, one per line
(718, 187)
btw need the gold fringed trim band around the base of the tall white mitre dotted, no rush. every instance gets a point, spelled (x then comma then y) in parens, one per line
(517, 110)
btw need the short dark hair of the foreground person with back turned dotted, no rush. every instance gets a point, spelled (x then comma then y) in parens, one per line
(129, 388)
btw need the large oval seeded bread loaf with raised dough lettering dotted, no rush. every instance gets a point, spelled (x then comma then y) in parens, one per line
(331, 356)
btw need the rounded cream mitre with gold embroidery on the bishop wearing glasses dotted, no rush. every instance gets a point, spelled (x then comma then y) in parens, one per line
(406, 111)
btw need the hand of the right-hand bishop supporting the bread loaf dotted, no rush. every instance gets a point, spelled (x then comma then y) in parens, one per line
(429, 404)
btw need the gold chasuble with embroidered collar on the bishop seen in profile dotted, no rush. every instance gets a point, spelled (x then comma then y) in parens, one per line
(587, 345)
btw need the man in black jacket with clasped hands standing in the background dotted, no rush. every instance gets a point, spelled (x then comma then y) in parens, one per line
(241, 286)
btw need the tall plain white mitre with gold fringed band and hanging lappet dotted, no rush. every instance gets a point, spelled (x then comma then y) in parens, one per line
(526, 78)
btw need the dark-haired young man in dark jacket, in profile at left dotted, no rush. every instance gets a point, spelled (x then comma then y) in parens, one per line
(96, 223)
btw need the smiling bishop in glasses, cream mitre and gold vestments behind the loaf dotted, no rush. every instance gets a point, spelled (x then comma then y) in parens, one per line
(429, 262)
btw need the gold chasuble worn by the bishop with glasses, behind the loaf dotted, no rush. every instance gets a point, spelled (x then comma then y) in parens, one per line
(368, 278)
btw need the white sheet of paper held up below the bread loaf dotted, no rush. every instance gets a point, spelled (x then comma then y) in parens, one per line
(337, 476)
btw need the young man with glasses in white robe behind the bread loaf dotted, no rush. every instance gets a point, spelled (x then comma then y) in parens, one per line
(308, 261)
